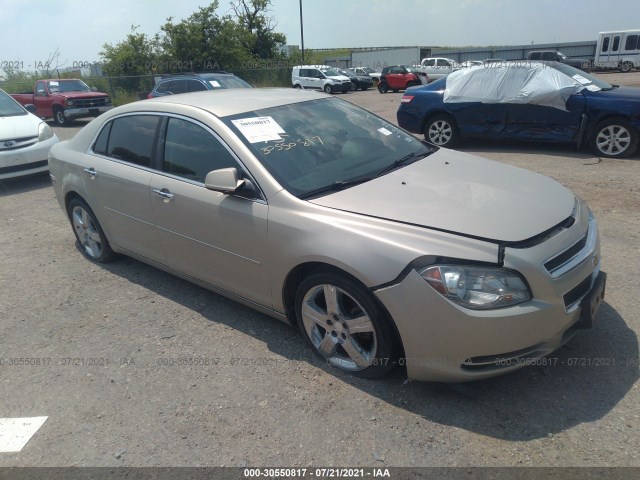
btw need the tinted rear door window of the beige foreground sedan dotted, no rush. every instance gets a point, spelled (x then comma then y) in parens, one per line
(132, 138)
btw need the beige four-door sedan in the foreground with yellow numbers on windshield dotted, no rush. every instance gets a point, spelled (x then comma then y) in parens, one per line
(383, 249)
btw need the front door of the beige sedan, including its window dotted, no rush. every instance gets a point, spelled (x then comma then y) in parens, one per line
(217, 238)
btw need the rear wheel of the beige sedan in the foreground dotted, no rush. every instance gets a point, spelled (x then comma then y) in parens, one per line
(91, 239)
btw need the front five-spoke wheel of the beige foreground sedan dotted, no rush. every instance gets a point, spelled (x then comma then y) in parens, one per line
(345, 325)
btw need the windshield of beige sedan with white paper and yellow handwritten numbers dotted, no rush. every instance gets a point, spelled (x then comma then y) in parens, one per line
(309, 146)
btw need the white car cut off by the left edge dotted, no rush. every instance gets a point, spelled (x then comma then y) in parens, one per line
(25, 140)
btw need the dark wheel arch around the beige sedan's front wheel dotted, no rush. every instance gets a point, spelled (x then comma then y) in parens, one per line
(299, 272)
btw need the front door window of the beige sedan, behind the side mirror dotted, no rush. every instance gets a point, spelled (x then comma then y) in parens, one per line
(191, 151)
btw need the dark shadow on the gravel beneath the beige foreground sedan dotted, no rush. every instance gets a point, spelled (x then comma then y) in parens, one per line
(581, 382)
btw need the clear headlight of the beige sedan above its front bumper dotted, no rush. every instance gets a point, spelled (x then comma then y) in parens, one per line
(478, 288)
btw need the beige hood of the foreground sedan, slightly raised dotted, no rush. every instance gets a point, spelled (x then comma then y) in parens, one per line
(462, 194)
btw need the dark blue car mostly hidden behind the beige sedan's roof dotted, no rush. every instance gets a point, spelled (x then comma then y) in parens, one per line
(196, 82)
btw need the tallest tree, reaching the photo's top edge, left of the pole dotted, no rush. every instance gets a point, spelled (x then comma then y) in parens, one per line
(260, 39)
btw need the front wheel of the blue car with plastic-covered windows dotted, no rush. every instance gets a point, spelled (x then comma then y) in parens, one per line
(614, 138)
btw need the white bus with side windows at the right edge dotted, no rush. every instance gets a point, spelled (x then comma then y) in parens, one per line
(618, 50)
